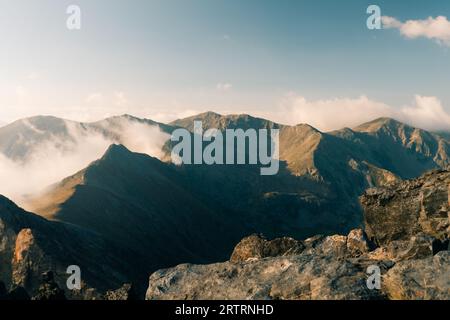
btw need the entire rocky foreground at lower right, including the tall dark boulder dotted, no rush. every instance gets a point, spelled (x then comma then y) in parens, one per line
(406, 240)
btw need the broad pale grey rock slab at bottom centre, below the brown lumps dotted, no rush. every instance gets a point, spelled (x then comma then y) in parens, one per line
(302, 276)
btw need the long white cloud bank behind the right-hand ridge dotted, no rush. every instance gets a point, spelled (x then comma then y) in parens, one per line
(331, 114)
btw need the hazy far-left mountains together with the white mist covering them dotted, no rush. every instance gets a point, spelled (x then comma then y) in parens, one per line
(39, 151)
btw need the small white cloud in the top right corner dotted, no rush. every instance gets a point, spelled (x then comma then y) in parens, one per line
(437, 29)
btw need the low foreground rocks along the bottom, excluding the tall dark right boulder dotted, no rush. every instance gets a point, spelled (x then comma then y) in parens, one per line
(335, 268)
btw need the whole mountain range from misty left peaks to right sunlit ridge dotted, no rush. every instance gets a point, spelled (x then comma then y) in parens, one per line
(148, 213)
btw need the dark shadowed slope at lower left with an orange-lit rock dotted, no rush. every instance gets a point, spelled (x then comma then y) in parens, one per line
(31, 245)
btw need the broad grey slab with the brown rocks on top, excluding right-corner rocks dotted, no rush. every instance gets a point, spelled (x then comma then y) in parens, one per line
(316, 268)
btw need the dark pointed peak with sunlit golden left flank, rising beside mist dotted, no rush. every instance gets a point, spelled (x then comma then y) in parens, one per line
(141, 203)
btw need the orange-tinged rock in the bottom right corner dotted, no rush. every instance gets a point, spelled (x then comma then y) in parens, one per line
(425, 279)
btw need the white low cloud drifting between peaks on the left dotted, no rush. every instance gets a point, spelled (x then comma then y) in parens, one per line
(61, 156)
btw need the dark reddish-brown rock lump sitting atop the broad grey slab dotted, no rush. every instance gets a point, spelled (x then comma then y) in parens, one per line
(257, 247)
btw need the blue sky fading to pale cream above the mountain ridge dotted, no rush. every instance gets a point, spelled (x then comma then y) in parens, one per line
(164, 59)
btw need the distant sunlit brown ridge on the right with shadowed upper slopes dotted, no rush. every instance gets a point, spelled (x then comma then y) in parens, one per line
(383, 143)
